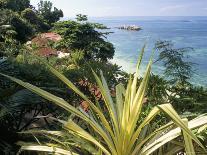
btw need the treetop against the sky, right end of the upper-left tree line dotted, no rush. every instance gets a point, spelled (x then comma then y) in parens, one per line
(45, 10)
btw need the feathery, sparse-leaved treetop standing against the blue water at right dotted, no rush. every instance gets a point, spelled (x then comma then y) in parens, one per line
(177, 68)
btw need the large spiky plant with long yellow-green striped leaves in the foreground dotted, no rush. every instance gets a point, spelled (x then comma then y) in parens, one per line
(117, 129)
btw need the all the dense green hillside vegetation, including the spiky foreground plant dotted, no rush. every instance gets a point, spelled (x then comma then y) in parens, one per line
(96, 123)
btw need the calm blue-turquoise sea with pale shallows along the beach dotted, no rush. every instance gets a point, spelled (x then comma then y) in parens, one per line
(183, 31)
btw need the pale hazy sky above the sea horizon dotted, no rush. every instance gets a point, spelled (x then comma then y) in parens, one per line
(102, 8)
